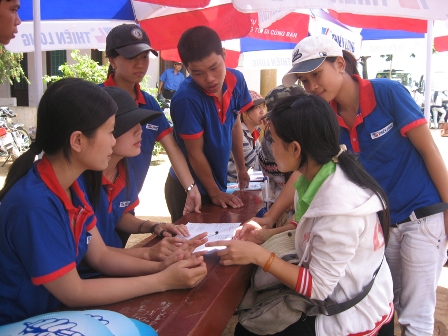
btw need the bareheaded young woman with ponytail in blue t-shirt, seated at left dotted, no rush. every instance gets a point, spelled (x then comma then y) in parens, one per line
(47, 225)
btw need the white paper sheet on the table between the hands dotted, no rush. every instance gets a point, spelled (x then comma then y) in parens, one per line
(215, 232)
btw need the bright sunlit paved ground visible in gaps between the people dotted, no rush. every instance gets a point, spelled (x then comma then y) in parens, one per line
(152, 206)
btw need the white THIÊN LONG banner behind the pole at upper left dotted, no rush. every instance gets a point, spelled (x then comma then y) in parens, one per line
(63, 35)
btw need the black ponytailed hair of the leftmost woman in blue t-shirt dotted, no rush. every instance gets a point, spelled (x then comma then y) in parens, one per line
(68, 105)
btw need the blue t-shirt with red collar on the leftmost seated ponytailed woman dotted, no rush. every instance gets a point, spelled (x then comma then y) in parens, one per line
(43, 235)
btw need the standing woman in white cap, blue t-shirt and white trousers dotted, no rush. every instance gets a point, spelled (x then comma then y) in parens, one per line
(383, 125)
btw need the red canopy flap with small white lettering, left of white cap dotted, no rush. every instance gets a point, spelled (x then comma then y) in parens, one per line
(291, 28)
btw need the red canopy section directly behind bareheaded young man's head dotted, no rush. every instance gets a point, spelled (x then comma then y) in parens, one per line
(165, 31)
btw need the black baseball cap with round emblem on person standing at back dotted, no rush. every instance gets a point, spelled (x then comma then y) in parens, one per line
(129, 40)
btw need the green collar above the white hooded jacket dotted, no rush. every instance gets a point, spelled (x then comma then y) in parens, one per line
(306, 190)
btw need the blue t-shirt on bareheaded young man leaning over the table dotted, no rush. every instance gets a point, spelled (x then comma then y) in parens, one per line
(196, 113)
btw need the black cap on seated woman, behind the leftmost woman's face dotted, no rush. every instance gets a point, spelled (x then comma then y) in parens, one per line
(128, 114)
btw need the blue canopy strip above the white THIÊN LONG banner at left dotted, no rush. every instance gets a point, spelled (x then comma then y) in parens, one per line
(79, 10)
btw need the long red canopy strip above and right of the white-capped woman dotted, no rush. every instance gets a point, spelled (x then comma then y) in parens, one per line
(381, 22)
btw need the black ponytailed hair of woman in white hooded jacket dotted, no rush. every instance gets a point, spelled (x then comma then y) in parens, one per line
(309, 120)
